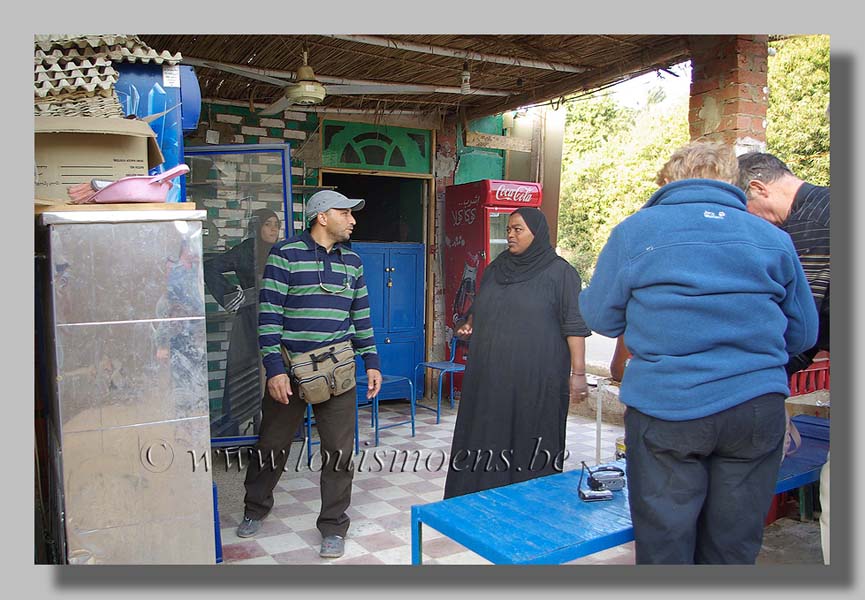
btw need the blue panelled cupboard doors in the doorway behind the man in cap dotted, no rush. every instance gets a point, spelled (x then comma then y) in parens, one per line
(394, 275)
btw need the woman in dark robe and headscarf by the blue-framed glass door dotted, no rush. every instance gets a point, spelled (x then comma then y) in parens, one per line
(241, 398)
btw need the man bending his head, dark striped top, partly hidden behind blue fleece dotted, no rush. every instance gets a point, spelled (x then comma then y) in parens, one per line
(802, 210)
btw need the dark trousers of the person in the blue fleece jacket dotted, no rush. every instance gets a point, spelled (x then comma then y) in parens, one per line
(700, 490)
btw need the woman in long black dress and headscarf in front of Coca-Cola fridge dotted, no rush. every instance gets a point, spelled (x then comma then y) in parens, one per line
(526, 362)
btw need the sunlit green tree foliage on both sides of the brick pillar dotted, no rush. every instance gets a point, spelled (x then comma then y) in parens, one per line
(612, 153)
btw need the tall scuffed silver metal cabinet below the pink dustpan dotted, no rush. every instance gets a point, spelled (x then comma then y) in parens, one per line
(128, 417)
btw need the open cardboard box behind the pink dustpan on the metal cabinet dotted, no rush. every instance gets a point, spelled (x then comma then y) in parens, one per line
(73, 150)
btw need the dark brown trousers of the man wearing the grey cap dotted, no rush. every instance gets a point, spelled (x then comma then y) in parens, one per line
(335, 421)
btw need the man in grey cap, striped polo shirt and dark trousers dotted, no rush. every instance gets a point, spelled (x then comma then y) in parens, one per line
(313, 294)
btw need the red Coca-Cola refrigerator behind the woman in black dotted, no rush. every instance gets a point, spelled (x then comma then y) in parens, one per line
(476, 217)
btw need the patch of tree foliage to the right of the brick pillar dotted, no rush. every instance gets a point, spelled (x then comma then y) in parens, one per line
(797, 129)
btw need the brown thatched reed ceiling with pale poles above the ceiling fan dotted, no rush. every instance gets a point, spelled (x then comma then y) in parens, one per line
(574, 63)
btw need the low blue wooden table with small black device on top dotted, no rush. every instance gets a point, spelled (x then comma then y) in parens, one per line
(543, 521)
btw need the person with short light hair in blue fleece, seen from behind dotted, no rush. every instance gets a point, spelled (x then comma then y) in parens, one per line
(712, 301)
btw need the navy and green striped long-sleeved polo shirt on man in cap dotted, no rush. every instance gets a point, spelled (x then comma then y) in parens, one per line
(294, 310)
